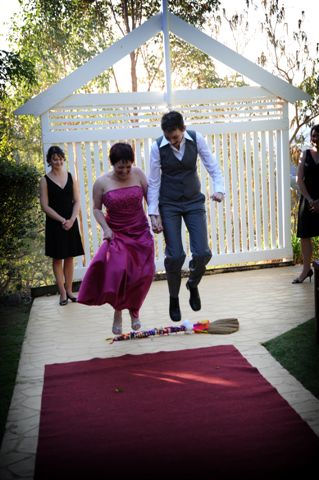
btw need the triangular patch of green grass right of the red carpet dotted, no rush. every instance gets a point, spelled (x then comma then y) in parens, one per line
(298, 352)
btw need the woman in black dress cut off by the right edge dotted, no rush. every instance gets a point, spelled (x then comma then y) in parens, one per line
(308, 215)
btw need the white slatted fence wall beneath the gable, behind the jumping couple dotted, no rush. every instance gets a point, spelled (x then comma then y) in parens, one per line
(247, 130)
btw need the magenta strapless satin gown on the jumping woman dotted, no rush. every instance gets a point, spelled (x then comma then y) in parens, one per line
(122, 269)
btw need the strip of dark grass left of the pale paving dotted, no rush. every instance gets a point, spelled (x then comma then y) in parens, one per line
(13, 322)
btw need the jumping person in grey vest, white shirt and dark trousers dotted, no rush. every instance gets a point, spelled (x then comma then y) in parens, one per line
(174, 194)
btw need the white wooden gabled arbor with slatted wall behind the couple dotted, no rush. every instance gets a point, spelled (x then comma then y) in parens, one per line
(247, 129)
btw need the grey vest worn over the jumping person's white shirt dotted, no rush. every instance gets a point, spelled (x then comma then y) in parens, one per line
(179, 179)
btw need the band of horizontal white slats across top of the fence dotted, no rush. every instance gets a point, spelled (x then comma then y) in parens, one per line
(130, 116)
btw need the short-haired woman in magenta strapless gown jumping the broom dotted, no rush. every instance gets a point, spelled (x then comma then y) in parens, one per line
(122, 269)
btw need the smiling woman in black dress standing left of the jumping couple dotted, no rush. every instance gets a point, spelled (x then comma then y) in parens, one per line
(59, 198)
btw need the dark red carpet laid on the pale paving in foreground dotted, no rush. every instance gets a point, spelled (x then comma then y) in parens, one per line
(204, 413)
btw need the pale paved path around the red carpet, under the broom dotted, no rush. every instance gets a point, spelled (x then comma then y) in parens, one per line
(264, 301)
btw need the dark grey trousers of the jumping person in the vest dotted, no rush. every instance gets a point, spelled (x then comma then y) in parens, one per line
(194, 216)
